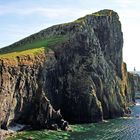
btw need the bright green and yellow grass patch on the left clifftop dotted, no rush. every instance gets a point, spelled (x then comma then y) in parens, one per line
(33, 47)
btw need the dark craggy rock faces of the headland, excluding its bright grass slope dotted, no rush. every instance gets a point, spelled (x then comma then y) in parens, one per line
(82, 80)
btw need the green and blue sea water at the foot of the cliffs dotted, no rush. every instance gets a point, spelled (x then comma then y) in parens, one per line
(115, 129)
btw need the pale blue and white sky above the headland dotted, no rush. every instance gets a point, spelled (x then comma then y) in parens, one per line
(20, 18)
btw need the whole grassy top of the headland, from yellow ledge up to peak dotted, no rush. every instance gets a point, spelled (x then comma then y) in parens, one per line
(44, 40)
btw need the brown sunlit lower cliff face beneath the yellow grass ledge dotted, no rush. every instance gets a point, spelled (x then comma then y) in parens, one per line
(22, 98)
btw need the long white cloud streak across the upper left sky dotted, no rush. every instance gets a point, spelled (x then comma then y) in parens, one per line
(51, 13)
